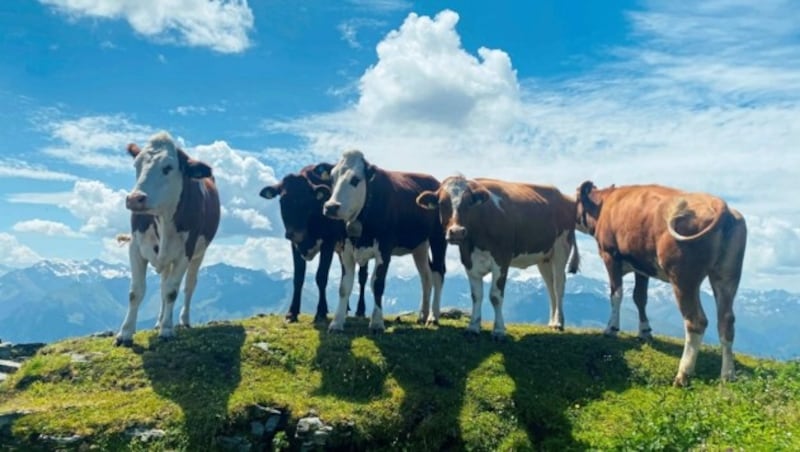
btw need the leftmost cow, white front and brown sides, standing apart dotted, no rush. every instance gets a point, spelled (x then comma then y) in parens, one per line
(175, 213)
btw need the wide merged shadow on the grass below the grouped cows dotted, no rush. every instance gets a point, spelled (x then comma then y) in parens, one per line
(550, 373)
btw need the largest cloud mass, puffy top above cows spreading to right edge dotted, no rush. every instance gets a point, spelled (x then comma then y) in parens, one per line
(706, 100)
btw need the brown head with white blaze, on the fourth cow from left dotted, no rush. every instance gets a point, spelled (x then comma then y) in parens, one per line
(456, 199)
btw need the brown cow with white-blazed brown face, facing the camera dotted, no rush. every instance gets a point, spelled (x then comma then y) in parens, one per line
(498, 225)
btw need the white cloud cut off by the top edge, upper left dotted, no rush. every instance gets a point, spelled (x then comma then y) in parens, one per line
(221, 25)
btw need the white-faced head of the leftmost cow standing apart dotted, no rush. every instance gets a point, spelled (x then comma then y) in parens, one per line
(161, 170)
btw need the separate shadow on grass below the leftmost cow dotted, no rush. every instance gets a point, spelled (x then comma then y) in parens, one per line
(198, 370)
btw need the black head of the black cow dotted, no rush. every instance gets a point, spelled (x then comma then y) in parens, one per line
(301, 197)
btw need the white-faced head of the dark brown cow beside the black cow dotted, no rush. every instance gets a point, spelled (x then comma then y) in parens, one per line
(349, 178)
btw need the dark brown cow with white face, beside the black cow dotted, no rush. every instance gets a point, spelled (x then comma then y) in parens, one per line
(383, 220)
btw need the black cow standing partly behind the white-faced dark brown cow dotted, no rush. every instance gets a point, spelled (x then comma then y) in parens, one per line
(310, 233)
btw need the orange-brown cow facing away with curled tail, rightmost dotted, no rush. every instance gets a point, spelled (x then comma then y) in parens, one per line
(675, 236)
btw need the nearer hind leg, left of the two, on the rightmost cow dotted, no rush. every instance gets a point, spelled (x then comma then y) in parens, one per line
(695, 323)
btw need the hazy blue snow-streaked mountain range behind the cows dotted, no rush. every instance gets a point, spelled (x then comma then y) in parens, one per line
(54, 300)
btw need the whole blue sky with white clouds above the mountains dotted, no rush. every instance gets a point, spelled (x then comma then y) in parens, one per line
(700, 95)
